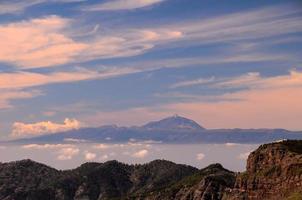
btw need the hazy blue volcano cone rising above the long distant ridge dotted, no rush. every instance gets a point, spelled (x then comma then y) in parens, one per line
(174, 123)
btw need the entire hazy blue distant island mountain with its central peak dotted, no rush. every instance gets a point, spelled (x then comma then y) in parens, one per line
(173, 129)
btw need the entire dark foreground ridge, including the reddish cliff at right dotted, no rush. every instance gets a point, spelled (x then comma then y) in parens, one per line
(273, 172)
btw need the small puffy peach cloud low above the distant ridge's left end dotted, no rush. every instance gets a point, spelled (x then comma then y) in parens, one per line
(24, 130)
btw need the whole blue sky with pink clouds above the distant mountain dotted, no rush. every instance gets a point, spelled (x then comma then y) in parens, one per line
(68, 64)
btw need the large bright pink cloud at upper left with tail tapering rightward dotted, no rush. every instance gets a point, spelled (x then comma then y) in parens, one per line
(44, 42)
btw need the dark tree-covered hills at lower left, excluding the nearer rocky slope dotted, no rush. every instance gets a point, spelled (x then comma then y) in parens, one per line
(30, 180)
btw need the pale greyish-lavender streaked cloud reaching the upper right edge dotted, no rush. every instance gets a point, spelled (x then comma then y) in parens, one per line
(260, 23)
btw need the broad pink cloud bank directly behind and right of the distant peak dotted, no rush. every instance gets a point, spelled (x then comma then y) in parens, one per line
(265, 102)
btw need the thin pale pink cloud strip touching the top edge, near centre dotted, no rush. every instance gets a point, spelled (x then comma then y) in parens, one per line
(121, 5)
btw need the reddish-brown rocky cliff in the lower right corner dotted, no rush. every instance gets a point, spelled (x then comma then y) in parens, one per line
(274, 171)
